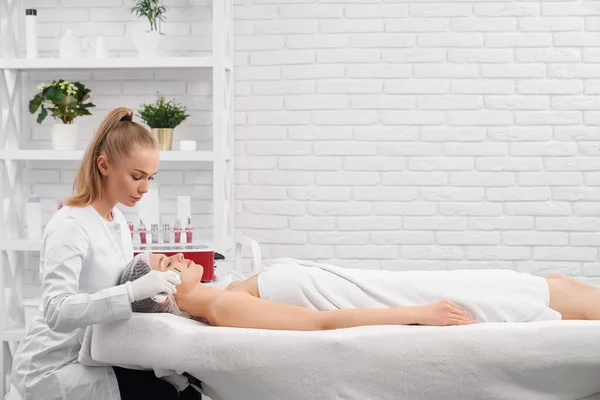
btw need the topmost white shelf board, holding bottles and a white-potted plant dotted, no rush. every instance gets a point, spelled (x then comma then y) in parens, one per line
(25, 64)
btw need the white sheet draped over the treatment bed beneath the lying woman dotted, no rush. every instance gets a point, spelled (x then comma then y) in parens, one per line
(549, 360)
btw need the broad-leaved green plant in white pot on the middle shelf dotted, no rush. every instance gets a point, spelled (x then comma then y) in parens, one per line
(64, 101)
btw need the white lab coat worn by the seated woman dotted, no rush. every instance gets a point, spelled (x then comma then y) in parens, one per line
(81, 260)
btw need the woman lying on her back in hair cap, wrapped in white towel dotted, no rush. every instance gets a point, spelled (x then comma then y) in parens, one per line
(300, 295)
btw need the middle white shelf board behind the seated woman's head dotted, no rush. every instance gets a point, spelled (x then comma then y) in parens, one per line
(77, 155)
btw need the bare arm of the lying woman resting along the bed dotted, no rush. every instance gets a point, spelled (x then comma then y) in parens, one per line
(242, 310)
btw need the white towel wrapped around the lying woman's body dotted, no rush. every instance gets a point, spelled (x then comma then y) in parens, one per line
(489, 295)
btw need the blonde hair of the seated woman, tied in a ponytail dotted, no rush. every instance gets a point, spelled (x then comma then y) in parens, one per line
(115, 137)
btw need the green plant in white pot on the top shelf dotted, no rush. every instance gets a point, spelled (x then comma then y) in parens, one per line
(149, 42)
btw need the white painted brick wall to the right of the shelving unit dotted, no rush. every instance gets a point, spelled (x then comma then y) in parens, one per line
(421, 134)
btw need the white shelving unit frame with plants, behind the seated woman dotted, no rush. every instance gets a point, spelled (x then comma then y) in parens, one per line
(13, 158)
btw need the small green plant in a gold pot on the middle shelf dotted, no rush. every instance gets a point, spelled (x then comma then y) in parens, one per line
(162, 117)
